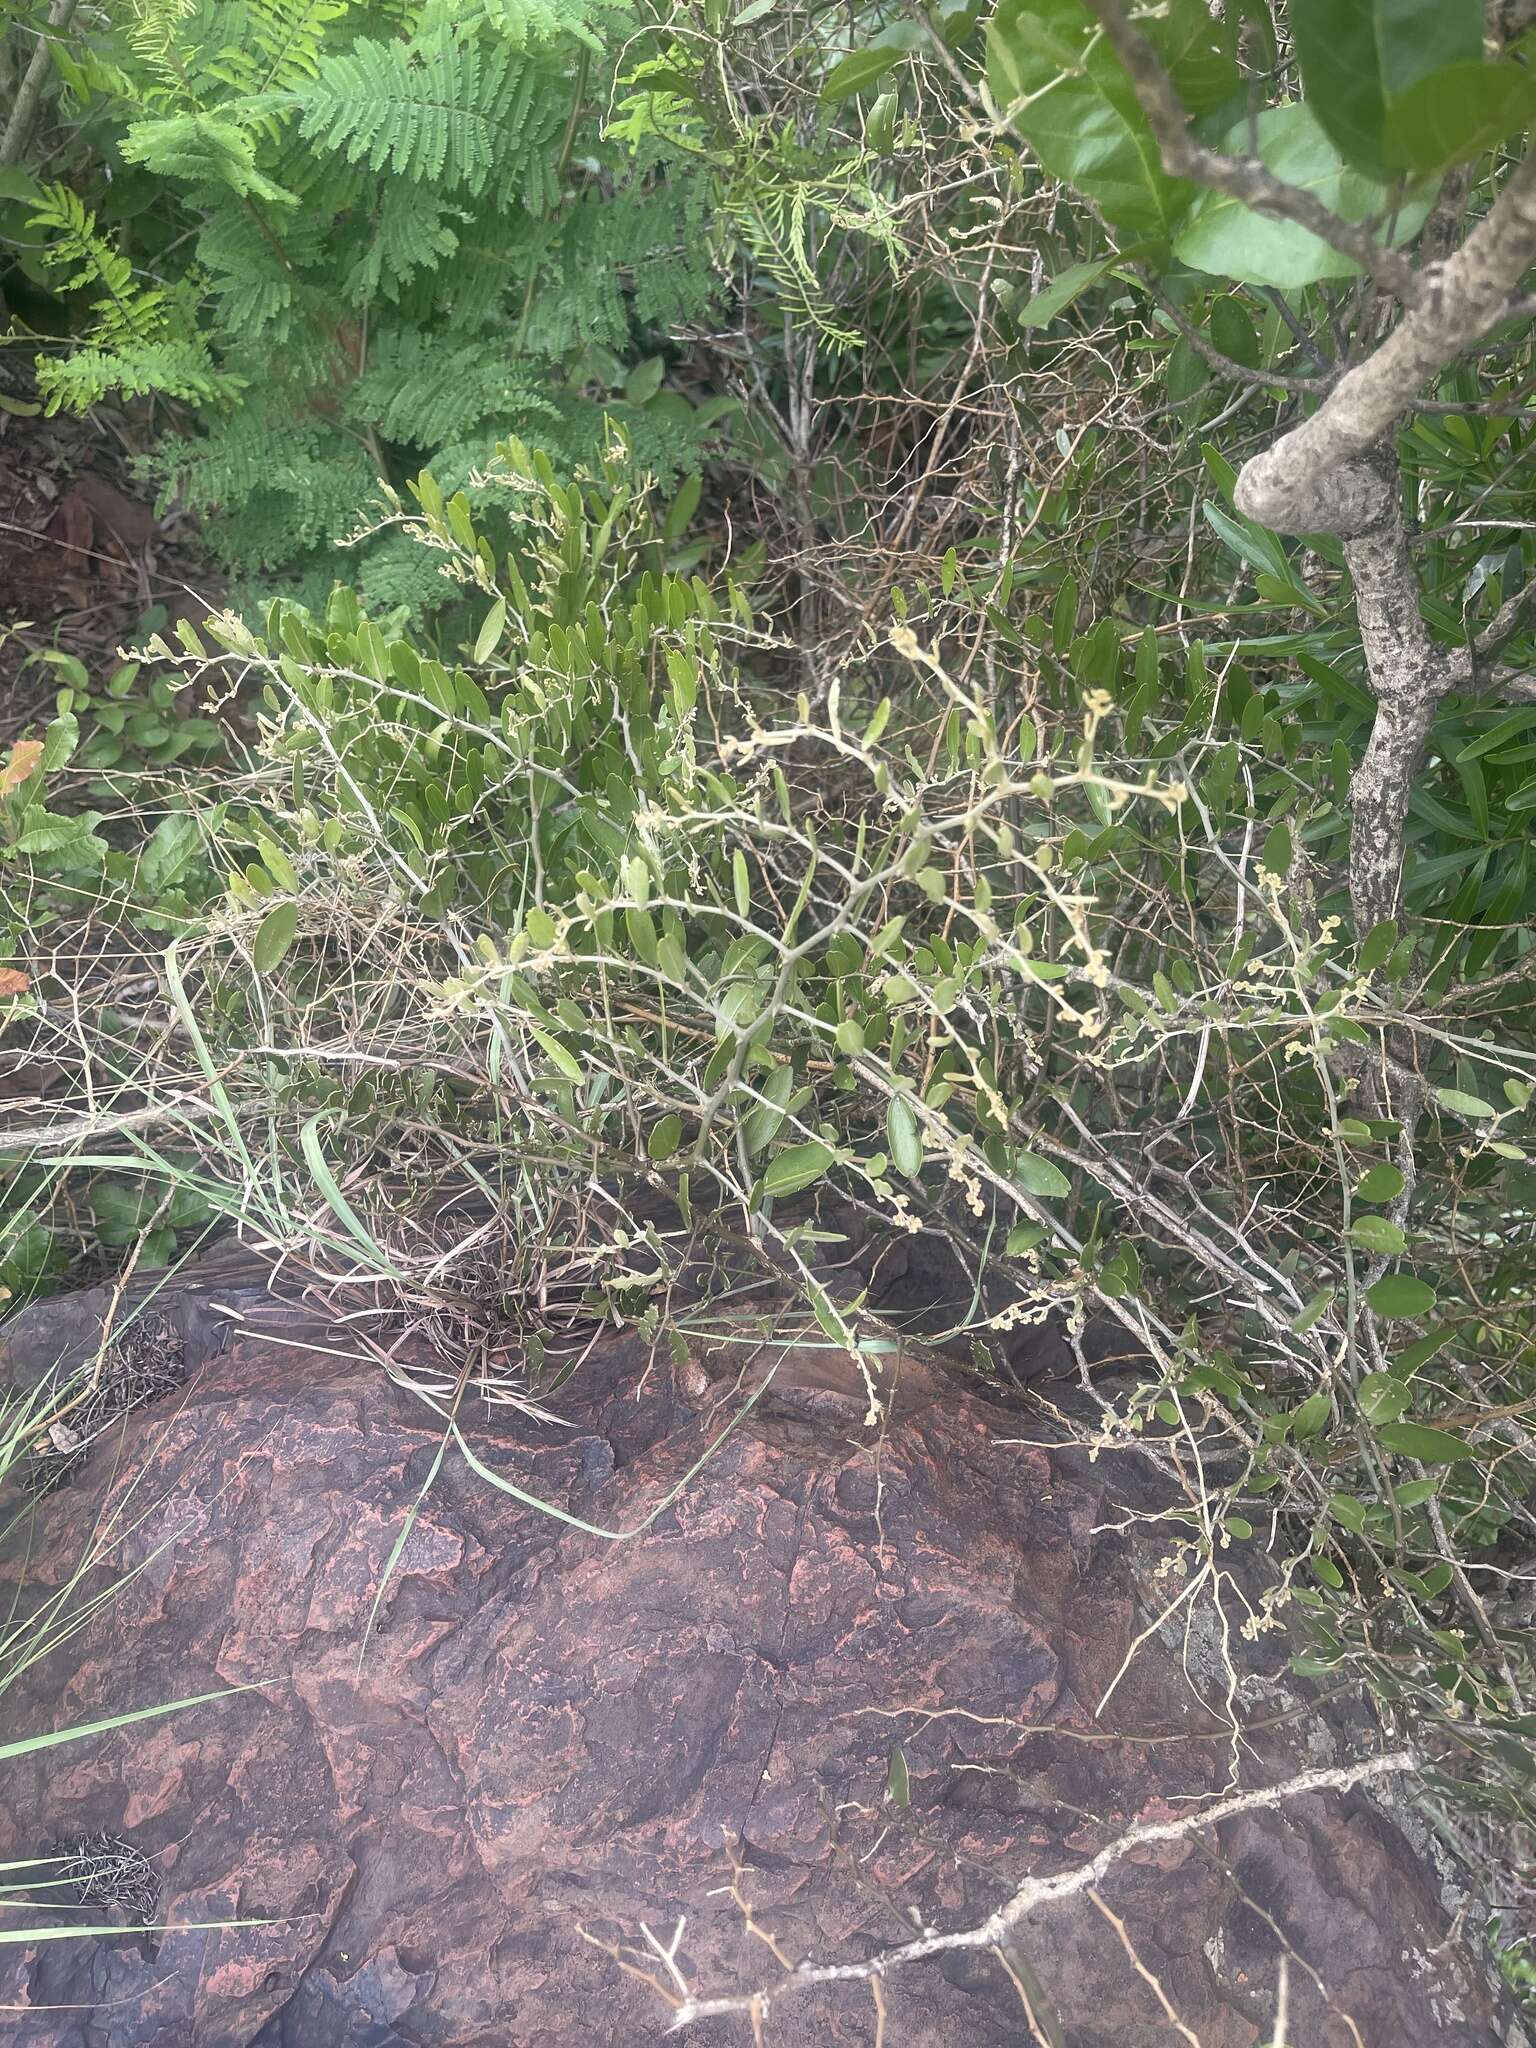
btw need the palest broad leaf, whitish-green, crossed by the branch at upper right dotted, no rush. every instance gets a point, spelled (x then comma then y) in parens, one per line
(1228, 239)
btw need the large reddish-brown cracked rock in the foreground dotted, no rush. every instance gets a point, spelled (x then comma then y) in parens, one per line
(552, 1736)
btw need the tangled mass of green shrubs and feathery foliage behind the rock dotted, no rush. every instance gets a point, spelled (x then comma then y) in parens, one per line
(814, 726)
